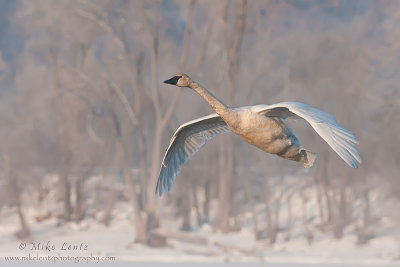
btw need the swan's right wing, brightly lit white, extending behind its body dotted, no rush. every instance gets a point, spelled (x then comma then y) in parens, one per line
(340, 139)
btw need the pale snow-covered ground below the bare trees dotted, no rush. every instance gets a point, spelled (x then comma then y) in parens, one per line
(97, 245)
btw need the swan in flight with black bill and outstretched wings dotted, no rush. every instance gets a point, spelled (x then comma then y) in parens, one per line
(262, 126)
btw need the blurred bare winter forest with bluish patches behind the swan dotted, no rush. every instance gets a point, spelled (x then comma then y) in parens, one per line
(85, 118)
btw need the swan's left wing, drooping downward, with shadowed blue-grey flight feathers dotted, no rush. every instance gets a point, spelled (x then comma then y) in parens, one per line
(186, 141)
